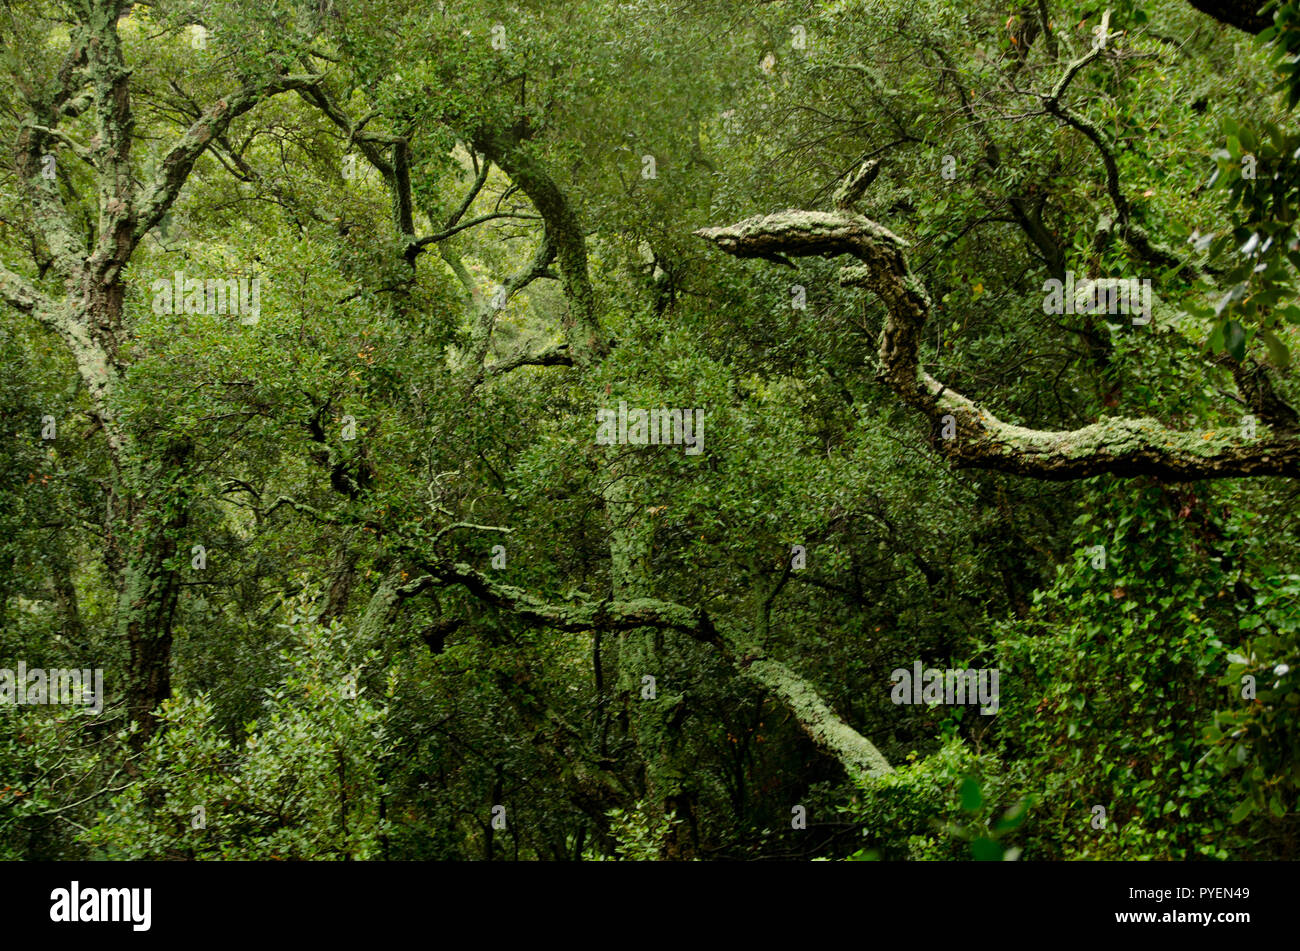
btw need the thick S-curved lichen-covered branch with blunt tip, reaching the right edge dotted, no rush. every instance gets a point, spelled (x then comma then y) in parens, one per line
(1117, 446)
